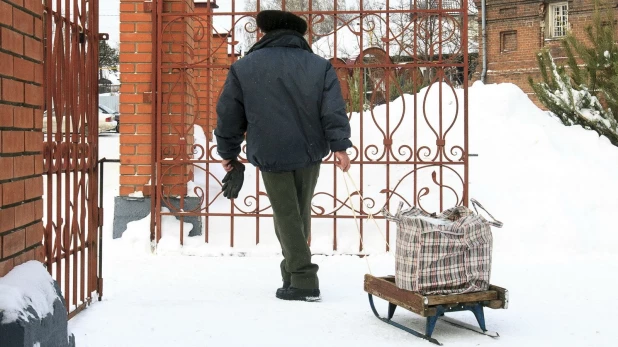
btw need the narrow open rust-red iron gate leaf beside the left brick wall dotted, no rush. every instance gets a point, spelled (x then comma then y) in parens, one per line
(70, 126)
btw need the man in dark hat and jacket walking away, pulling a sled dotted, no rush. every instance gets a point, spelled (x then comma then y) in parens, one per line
(289, 103)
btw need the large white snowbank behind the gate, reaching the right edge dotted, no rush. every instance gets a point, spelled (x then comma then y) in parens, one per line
(553, 186)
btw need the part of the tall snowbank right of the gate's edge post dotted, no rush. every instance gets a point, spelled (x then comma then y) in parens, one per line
(553, 186)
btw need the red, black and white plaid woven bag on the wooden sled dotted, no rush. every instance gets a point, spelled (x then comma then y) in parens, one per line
(449, 253)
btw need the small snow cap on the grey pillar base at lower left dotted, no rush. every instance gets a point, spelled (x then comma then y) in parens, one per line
(27, 285)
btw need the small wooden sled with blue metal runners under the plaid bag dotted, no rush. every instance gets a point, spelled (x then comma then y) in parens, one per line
(433, 307)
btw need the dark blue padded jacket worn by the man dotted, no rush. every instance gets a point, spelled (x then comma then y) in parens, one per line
(287, 100)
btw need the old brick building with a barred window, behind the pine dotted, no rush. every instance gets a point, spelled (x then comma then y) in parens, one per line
(517, 30)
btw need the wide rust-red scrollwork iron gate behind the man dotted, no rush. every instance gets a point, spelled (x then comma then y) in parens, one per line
(410, 144)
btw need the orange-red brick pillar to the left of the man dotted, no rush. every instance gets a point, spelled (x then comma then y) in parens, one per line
(136, 92)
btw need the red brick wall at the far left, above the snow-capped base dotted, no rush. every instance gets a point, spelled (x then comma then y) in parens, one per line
(21, 137)
